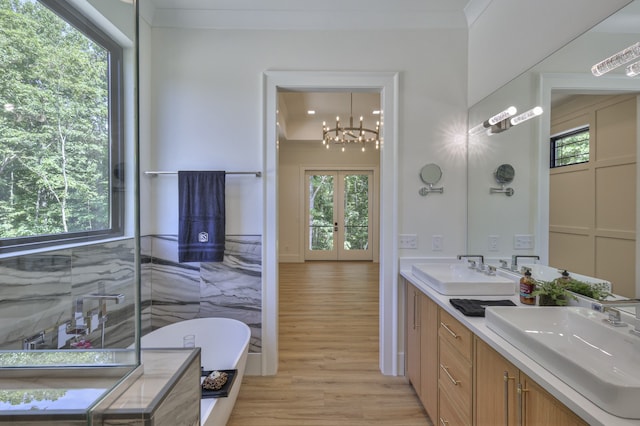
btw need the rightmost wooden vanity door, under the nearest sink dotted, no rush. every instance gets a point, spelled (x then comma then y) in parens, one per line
(541, 408)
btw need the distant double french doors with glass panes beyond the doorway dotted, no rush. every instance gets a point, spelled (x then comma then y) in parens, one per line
(338, 210)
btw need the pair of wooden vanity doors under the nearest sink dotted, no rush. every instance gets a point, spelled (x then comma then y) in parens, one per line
(498, 400)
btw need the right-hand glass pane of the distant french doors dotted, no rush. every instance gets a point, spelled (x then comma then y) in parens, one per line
(356, 212)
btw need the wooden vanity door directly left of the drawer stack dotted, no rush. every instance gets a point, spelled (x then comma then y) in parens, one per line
(429, 355)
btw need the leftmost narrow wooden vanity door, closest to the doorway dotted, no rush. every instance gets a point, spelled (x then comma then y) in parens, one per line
(412, 325)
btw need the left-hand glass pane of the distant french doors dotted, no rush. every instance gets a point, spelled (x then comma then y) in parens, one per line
(321, 212)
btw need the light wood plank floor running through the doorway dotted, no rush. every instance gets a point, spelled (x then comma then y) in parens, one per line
(328, 356)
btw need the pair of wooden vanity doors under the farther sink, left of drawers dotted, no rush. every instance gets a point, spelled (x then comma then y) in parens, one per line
(422, 348)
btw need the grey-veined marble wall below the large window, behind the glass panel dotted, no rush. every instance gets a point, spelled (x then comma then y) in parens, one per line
(38, 291)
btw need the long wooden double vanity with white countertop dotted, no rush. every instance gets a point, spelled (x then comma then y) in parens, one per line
(465, 373)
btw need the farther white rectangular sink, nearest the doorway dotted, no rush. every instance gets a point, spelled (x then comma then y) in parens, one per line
(456, 279)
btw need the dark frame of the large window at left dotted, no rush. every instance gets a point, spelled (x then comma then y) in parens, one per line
(116, 96)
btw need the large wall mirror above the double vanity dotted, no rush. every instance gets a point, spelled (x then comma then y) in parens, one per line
(581, 217)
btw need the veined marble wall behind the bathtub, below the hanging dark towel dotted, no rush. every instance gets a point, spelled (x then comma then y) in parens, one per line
(174, 292)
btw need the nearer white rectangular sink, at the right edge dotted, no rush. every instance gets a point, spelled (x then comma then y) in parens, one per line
(599, 361)
